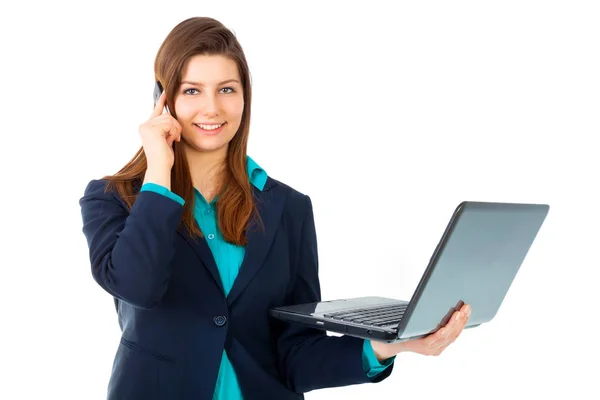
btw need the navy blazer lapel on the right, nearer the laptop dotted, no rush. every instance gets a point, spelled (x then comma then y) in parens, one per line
(270, 208)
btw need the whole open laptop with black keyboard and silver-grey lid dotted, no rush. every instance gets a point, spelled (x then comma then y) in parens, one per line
(475, 262)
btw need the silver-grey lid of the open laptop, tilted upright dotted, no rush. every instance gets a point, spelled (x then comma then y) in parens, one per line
(475, 262)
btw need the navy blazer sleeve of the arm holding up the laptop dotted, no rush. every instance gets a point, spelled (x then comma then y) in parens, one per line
(309, 358)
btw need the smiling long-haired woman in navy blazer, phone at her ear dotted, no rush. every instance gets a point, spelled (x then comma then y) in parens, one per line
(196, 243)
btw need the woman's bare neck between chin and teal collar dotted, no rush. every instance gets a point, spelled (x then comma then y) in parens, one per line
(205, 168)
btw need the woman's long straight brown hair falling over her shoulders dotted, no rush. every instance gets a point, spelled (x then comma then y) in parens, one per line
(235, 205)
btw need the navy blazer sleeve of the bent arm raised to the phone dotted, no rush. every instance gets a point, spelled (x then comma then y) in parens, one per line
(130, 250)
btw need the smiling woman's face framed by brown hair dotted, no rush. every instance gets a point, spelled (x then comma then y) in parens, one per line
(209, 103)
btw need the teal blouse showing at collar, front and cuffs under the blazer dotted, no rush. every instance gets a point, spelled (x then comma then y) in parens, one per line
(228, 258)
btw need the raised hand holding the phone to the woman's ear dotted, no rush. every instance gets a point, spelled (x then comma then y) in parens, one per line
(158, 134)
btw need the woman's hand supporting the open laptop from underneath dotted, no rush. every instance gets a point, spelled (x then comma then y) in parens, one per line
(430, 345)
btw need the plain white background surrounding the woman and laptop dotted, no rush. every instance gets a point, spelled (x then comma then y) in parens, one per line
(387, 114)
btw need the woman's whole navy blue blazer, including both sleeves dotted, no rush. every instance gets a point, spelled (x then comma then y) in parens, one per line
(176, 320)
